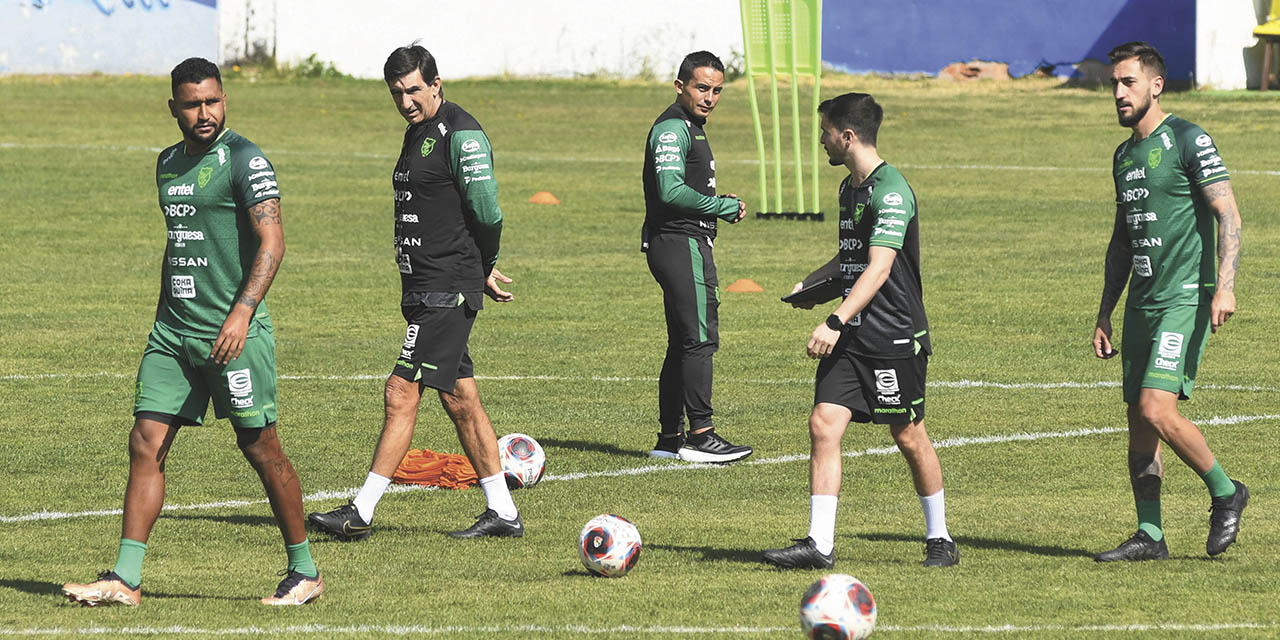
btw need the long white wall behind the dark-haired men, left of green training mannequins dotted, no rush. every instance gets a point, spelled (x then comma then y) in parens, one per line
(488, 38)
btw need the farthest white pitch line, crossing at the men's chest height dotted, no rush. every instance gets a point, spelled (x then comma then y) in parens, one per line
(541, 159)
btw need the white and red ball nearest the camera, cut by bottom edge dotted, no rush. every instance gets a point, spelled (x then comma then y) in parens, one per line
(838, 607)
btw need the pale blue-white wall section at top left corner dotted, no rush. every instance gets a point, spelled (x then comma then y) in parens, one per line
(111, 36)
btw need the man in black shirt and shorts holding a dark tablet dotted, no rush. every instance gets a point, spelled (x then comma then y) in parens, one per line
(875, 349)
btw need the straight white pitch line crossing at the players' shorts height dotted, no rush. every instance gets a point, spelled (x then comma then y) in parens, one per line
(941, 385)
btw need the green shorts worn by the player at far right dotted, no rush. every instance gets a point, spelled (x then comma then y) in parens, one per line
(1162, 349)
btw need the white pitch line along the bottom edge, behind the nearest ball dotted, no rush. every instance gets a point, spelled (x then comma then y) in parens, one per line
(424, 630)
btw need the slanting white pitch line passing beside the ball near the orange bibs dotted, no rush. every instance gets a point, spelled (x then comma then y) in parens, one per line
(653, 469)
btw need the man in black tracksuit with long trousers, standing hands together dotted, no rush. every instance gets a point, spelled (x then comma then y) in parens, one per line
(682, 211)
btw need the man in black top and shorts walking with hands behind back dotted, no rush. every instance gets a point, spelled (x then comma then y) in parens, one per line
(449, 230)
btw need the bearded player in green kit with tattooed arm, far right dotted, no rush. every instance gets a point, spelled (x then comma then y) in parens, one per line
(1172, 190)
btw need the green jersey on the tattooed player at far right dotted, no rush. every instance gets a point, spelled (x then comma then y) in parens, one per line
(1172, 228)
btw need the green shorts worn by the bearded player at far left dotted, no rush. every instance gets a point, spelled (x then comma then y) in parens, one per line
(179, 378)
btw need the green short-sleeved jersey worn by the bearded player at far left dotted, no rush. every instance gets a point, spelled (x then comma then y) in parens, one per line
(212, 248)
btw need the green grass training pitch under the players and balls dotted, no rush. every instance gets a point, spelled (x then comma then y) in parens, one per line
(1016, 212)
